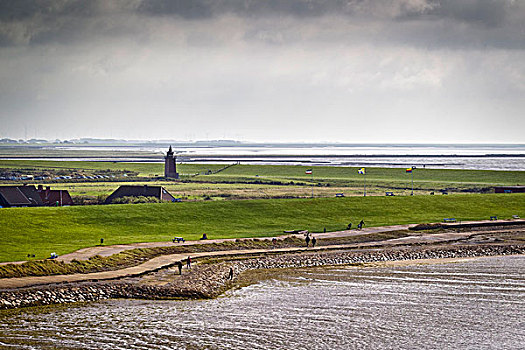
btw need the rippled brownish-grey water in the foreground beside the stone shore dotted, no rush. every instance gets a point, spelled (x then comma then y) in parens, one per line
(476, 304)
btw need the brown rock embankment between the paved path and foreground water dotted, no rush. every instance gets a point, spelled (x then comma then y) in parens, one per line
(210, 280)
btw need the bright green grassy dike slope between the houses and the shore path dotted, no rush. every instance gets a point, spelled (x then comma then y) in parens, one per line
(41, 230)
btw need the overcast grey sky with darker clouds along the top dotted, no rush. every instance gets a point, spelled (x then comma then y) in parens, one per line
(264, 70)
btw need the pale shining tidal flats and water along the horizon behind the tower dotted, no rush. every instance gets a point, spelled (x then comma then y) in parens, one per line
(477, 157)
